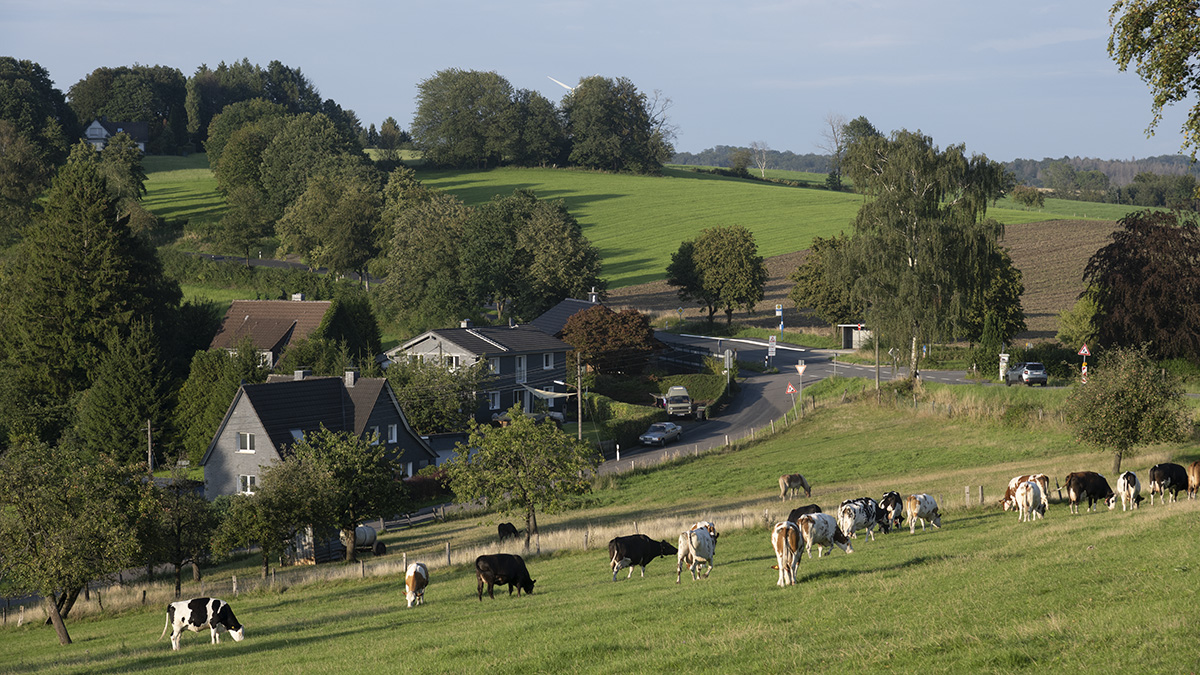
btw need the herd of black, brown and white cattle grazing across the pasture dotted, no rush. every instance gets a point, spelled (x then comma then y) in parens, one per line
(806, 527)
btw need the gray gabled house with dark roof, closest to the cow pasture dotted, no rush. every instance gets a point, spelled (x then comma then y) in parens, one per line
(266, 420)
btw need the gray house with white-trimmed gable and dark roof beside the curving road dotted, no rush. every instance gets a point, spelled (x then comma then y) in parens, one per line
(525, 365)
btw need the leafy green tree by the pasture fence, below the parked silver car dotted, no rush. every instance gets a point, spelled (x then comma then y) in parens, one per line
(523, 468)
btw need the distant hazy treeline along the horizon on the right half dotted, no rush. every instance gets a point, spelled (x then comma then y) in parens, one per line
(1029, 172)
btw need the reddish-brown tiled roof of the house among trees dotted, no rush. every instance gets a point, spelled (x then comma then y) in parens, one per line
(269, 325)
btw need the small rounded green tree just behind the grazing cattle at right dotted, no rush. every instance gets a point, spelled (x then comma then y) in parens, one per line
(1126, 404)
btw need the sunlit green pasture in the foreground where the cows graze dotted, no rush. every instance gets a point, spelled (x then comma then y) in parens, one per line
(985, 594)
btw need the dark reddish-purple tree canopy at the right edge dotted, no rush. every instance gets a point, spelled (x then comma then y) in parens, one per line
(1148, 285)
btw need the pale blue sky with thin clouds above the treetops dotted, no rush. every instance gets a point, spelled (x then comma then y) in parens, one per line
(1018, 80)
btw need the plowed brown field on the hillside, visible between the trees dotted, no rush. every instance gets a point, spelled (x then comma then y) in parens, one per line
(1051, 255)
